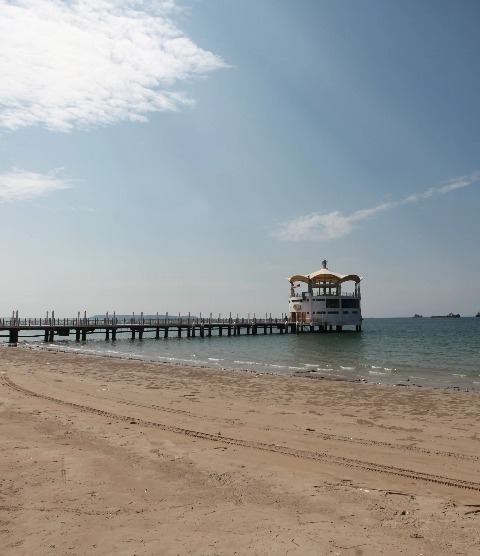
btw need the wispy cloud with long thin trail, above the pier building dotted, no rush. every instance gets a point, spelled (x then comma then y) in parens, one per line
(334, 225)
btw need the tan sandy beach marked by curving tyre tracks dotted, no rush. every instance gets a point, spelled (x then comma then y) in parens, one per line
(108, 456)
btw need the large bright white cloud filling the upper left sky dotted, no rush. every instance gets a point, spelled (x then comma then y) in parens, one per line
(88, 63)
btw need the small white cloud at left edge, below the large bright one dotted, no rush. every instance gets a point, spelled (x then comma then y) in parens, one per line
(19, 185)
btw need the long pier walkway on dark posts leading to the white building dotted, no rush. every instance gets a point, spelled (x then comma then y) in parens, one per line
(163, 327)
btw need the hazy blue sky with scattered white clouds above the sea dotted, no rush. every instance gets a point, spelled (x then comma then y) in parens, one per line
(192, 155)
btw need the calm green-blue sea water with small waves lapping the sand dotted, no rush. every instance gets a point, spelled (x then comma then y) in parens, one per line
(420, 352)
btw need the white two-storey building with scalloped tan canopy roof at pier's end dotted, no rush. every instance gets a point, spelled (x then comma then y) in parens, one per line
(325, 299)
